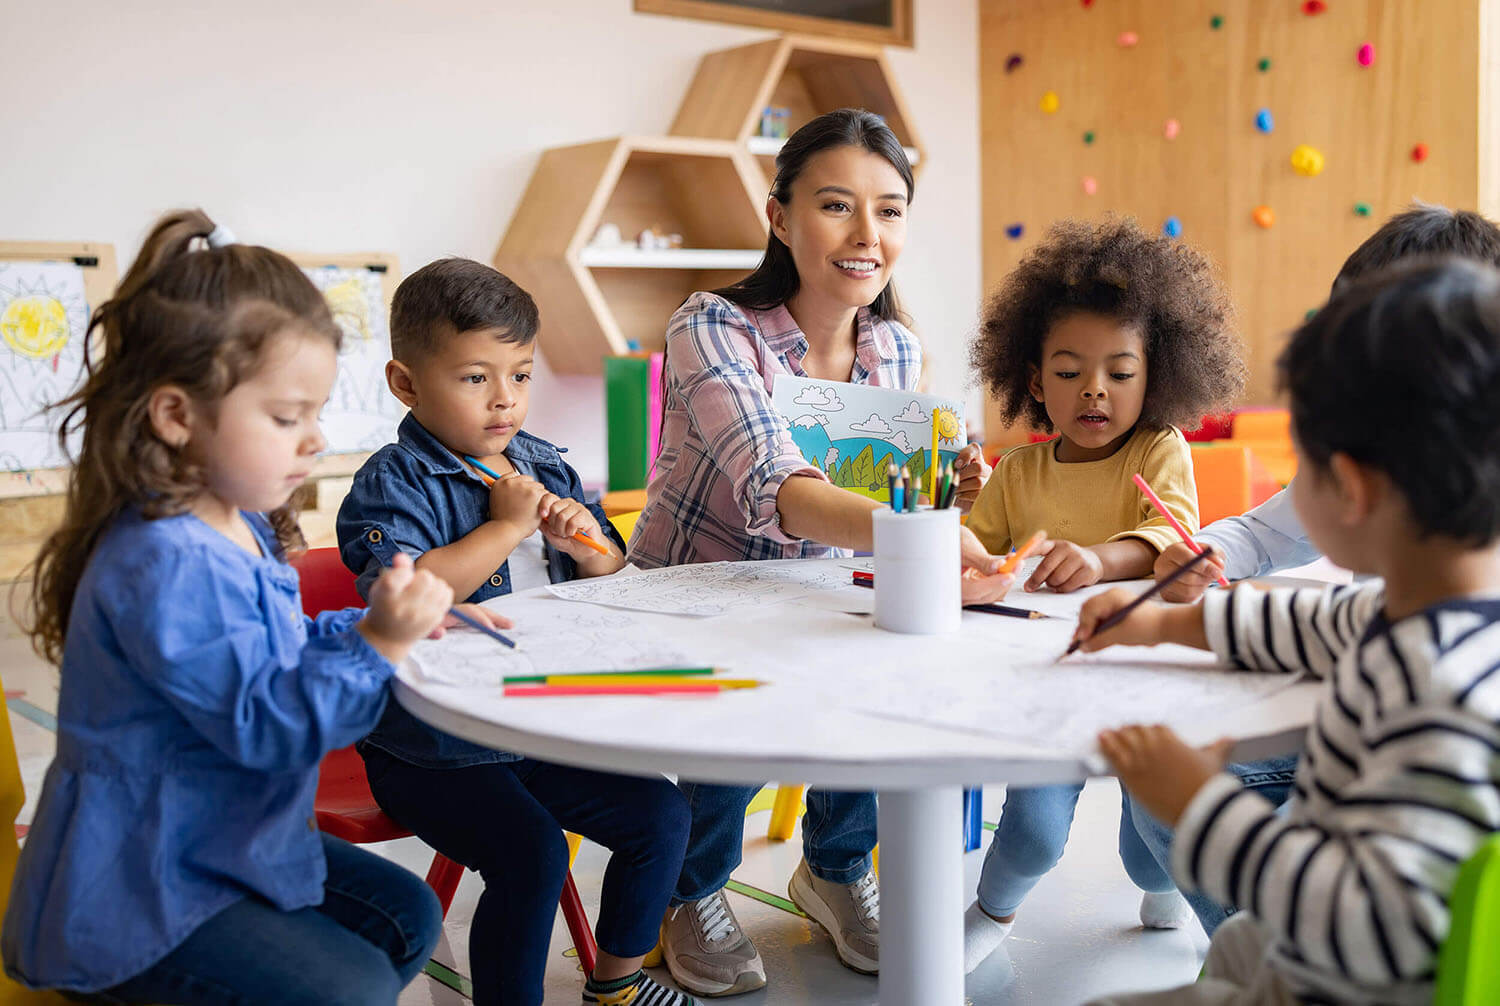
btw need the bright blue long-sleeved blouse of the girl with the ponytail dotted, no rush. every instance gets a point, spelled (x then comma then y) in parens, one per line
(196, 704)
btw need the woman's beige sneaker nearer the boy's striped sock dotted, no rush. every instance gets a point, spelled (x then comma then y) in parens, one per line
(706, 950)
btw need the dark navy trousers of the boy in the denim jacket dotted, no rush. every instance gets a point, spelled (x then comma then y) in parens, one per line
(506, 821)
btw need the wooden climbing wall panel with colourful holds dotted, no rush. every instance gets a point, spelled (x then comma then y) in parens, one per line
(1186, 115)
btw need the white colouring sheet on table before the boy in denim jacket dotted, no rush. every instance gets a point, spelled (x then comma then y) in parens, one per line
(551, 639)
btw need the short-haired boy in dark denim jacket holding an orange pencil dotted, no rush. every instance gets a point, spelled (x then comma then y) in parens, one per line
(463, 340)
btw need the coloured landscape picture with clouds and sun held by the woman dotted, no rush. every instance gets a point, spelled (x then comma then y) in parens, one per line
(856, 433)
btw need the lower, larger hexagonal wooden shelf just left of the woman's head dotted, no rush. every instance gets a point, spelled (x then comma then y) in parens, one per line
(596, 301)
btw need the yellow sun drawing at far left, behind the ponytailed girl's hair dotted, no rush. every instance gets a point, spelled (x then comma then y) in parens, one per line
(44, 319)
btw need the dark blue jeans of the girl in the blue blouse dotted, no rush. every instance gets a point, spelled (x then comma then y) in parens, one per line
(371, 936)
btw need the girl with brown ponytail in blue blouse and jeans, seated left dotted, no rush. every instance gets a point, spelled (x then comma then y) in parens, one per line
(175, 855)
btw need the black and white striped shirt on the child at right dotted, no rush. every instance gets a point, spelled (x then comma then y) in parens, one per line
(1400, 783)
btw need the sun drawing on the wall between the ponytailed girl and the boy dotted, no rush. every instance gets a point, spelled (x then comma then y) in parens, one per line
(362, 413)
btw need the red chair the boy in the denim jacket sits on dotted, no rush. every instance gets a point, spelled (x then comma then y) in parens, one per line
(346, 807)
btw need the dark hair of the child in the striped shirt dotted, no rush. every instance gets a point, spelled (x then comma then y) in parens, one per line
(1402, 373)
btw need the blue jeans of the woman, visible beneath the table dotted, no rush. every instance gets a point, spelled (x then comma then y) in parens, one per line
(838, 836)
